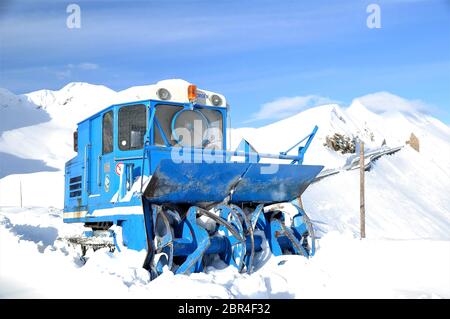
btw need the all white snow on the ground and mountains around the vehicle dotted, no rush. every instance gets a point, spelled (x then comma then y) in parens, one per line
(406, 253)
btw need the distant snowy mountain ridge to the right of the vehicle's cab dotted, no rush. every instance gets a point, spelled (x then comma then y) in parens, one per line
(355, 121)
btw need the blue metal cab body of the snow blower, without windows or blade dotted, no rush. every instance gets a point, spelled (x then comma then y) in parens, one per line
(95, 193)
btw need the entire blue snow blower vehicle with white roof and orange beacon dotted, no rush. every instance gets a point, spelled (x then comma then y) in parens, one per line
(156, 175)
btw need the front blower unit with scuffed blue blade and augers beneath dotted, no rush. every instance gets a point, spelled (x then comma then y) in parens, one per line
(192, 211)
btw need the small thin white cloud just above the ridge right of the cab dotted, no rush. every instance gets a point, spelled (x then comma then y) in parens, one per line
(286, 106)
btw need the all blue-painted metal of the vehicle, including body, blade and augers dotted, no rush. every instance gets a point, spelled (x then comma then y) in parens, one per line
(205, 177)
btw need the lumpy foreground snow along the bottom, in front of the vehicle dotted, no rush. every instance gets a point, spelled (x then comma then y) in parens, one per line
(33, 263)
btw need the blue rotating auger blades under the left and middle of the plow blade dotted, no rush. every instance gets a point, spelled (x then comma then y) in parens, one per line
(181, 245)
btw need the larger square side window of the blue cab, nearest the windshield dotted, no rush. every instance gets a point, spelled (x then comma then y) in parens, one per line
(132, 127)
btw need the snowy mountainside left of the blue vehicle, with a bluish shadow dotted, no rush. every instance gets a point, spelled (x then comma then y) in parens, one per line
(36, 136)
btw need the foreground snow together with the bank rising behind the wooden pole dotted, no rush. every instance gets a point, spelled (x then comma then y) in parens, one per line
(406, 254)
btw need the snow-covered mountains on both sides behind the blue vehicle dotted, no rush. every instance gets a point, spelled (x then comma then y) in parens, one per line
(36, 135)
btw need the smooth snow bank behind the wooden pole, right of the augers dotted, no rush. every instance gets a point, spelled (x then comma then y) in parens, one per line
(406, 198)
